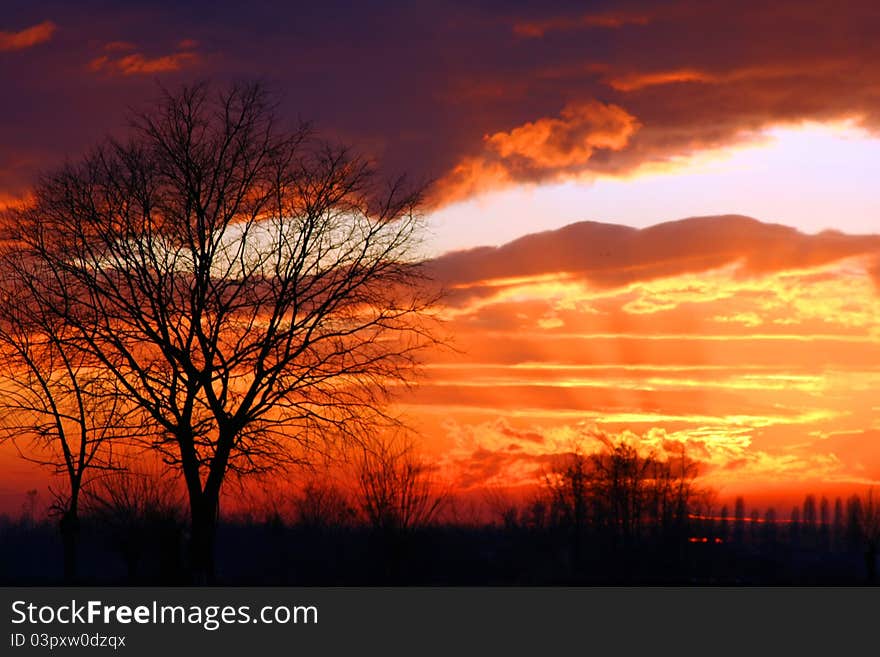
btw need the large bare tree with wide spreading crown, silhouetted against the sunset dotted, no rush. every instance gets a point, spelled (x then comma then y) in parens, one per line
(253, 290)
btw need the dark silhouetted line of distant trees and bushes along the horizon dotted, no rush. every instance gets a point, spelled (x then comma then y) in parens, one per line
(616, 515)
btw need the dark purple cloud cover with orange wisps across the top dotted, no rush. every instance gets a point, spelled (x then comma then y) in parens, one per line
(444, 90)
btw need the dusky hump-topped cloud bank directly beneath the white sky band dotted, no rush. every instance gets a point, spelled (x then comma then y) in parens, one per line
(612, 255)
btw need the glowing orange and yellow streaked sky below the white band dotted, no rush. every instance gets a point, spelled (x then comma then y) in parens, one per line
(754, 344)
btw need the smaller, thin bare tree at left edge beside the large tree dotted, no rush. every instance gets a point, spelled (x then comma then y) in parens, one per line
(57, 407)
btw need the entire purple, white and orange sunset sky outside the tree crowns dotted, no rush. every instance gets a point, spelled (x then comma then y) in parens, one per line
(655, 220)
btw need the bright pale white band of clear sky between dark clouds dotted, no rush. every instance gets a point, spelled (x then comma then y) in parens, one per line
(813, 176)
